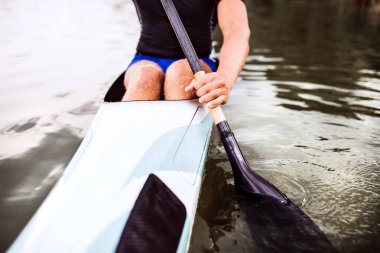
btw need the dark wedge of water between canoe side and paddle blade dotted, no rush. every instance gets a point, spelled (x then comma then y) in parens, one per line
(218, 214)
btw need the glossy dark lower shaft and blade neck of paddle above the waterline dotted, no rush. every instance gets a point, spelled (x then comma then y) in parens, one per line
(245, 179)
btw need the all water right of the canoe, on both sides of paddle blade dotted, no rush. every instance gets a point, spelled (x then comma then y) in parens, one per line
(306, 114)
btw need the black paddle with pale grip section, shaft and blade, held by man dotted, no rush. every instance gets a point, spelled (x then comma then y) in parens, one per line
(276, 224)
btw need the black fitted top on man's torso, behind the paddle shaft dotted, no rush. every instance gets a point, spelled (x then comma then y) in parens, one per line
(157, 36)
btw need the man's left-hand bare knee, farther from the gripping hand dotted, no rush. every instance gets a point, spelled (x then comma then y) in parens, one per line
(143, 81)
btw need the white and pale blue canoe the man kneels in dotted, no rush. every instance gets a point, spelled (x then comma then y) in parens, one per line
(91, 203)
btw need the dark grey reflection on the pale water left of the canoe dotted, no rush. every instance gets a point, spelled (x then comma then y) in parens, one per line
(28, 178)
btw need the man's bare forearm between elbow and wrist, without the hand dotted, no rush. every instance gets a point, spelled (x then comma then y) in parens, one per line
(233, 55)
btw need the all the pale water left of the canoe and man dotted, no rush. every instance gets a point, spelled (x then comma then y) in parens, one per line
(56, 60)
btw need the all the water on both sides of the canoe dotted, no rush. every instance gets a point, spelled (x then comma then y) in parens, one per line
(305, 112)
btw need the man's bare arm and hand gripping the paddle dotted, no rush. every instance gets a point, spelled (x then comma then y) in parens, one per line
(214, 88)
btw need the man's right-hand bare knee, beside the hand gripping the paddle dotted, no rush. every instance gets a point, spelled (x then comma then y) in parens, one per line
(178, 76)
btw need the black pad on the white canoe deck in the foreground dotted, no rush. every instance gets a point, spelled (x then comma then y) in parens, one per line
(156, 220)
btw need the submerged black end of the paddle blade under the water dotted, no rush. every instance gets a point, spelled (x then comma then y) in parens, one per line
(278, 227)
